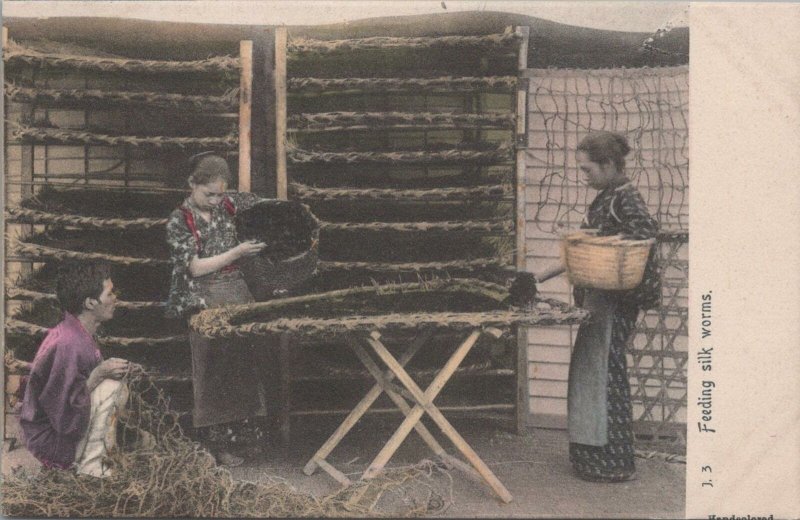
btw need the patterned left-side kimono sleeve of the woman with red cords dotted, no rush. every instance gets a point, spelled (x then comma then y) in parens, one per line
(182, 248)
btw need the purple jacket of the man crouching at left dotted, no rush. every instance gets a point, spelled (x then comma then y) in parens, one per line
(57, 404)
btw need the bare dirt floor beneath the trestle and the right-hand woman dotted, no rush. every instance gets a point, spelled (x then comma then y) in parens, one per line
(534, 467)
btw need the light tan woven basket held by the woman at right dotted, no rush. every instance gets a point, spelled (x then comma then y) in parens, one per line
(609, 262)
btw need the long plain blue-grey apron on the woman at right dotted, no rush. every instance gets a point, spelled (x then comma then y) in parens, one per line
(588, 372)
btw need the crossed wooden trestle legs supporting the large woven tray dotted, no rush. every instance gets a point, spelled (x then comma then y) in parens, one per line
(423, 403)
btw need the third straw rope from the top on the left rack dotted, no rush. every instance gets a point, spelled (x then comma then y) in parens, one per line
(20, 132)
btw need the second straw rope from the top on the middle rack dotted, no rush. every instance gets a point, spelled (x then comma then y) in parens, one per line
(447, 84)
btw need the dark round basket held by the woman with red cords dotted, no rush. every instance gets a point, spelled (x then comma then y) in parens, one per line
(268, 277)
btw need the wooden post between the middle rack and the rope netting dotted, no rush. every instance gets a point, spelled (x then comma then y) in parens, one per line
(521, 143)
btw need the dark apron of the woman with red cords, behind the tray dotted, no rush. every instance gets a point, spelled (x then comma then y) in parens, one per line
(225, 375)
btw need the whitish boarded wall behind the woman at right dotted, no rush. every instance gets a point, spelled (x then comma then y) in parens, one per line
(650, 106)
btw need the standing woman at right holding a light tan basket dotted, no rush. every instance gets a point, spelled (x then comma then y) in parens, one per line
(599, 401)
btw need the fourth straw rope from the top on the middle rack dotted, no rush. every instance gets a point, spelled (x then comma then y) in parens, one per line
(300, 156)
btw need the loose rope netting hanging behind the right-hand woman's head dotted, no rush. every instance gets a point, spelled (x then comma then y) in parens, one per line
(649, 106)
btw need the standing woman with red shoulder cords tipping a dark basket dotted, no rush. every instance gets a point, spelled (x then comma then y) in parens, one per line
(204, 251)
